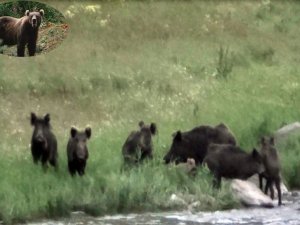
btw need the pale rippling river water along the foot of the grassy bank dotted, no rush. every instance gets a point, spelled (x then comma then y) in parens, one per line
(288, 214)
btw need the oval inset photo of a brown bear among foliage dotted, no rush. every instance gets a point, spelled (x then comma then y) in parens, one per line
(29, 28)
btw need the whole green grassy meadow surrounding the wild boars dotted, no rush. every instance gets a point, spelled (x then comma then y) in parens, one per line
(157, 61)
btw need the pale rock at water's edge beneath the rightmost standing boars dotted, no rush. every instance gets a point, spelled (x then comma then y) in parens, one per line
(249, 194)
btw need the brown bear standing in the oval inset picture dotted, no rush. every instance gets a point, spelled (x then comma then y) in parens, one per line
(21, 32)
